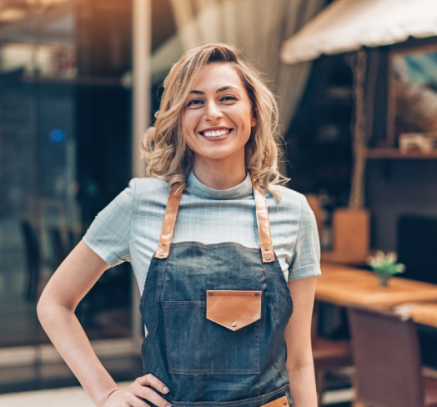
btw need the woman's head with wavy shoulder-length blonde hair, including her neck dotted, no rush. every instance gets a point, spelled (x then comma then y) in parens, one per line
(212, 89)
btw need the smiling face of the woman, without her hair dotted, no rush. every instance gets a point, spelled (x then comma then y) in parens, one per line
(218, 117)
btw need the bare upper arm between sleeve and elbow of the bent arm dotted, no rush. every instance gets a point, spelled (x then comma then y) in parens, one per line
(73, 278)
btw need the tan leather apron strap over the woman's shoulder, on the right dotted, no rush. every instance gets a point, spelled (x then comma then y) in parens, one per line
(262, 215)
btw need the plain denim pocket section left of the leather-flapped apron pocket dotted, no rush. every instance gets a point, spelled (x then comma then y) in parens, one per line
(185, 336)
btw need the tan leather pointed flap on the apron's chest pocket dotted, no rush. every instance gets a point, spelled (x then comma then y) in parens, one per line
(233, 309)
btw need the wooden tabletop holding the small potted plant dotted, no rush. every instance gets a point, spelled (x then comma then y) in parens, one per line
(342, 285)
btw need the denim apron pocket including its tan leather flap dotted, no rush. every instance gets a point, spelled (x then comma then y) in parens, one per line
(233, 331)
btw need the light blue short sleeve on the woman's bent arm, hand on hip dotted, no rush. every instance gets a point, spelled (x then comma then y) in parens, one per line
(109, 234)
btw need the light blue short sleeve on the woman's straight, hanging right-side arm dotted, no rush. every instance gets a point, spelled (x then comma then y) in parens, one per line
(306, 255)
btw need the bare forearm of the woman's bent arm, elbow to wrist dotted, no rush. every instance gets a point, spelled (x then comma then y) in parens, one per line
(69, 338)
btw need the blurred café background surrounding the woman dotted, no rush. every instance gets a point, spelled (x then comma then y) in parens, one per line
(80, 81)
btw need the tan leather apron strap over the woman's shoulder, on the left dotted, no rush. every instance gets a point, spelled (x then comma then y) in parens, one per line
(171, 213)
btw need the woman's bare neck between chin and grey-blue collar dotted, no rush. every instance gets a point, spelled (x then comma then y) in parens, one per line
(219, 174)
